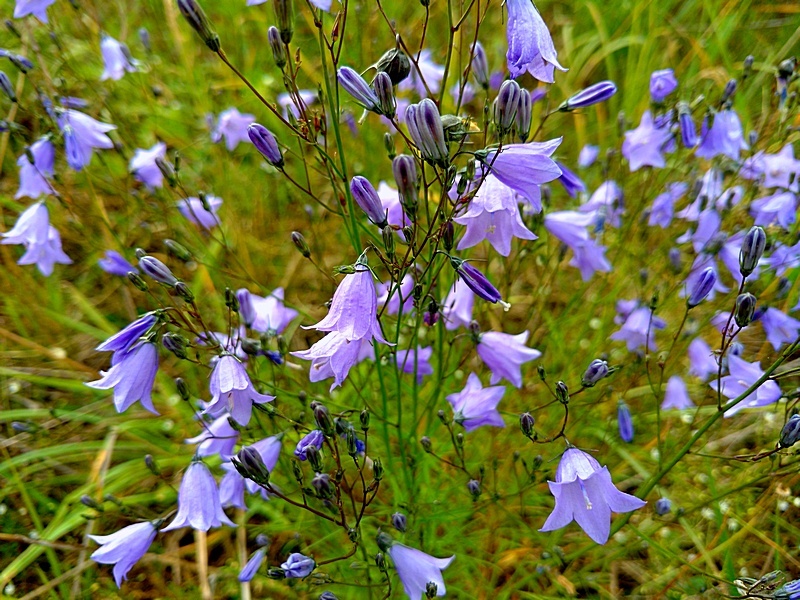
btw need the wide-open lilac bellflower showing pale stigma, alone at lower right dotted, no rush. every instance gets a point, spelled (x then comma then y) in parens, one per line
(584, 492)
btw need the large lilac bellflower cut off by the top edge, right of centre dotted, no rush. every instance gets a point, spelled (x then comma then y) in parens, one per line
(530, 47)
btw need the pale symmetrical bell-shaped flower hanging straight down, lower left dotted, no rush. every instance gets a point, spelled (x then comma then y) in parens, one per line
(199, 506)
